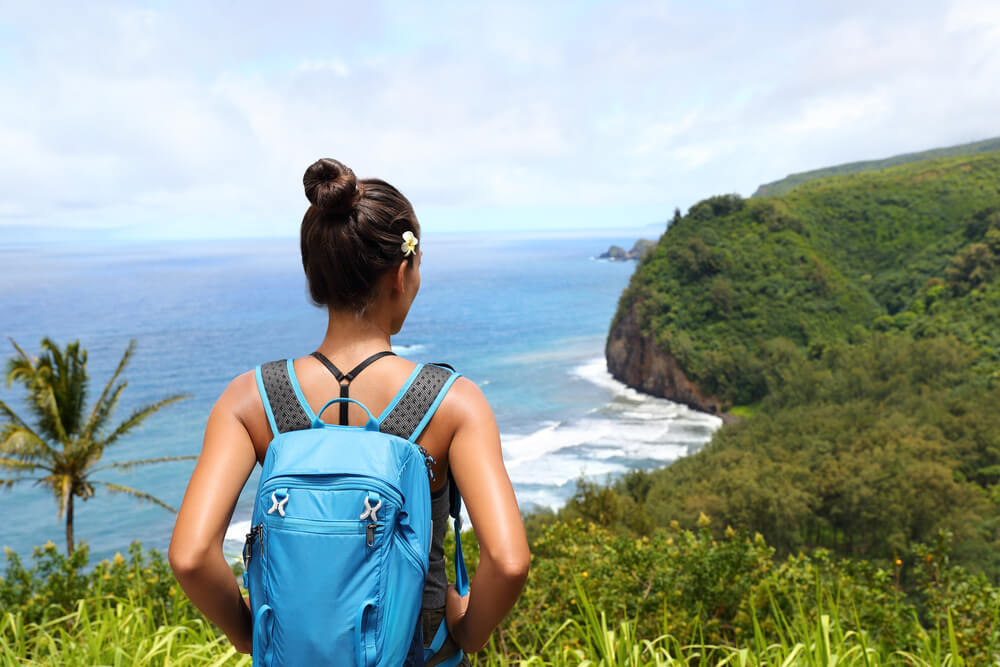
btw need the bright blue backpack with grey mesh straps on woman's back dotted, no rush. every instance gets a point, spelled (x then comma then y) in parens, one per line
(337, 553)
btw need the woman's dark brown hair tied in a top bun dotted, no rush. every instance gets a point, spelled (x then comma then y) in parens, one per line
(351, 234)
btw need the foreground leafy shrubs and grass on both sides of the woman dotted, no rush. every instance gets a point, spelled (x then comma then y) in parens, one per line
(671, 597)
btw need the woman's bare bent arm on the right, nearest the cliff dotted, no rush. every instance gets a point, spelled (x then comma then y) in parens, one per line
(477, 464)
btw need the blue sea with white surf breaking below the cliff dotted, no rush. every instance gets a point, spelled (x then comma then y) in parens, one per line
(523, 316)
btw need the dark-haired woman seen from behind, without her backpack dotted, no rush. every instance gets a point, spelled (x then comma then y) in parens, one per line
(361, 254)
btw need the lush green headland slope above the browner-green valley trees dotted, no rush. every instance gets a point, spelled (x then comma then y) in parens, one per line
(908, 249)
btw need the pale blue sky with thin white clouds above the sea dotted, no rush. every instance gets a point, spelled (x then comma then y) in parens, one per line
(172, 120)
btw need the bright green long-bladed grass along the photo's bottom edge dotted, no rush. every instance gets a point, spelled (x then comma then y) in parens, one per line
(116, 631)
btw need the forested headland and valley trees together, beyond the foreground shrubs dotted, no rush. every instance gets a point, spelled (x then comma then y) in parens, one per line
(855, 323)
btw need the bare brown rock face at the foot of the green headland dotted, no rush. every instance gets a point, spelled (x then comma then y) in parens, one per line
(637, 361)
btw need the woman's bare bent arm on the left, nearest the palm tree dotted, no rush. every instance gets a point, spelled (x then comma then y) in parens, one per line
(226, 461)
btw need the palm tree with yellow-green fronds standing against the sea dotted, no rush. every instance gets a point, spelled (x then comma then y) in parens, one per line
(63, 448)
